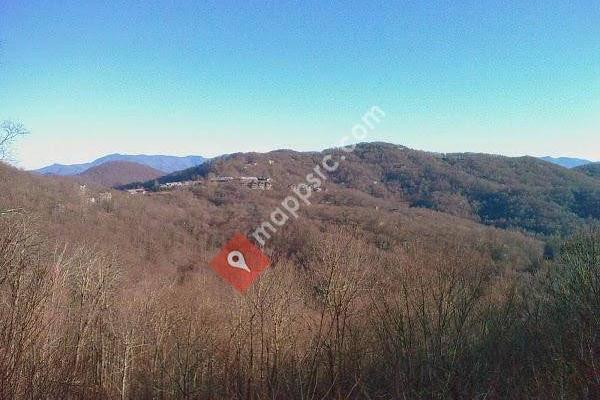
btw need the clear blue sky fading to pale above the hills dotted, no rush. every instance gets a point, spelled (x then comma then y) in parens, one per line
(208, 78)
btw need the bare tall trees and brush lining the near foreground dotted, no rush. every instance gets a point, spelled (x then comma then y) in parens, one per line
(341, 324)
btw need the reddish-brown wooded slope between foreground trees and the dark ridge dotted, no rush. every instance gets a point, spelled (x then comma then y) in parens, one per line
(183, 229)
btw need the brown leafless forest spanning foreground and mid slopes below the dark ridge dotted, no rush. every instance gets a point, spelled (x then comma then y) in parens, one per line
(114, 299)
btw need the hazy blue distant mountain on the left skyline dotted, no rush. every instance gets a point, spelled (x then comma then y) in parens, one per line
(166, 164)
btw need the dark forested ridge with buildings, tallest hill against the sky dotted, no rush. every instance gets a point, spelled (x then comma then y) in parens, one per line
(521, 193)
